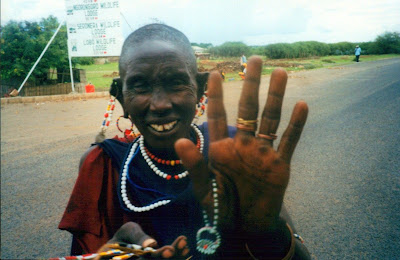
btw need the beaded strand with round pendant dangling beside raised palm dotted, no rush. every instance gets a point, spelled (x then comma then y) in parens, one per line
(208, 238)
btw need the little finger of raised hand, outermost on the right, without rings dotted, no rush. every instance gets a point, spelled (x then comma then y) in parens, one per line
(293, 132)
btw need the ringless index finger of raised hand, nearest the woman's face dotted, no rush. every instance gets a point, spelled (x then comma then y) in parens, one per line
(216, 116)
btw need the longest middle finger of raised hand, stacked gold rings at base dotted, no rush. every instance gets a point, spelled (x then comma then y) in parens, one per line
(248, 103)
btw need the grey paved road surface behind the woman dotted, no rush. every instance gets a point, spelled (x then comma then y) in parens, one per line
(345, 184)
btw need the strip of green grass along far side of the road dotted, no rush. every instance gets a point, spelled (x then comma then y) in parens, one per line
(101, 75)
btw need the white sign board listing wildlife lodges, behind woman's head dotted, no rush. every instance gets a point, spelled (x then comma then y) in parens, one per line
(94, 28)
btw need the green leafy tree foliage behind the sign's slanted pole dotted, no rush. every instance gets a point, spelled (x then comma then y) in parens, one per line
(23, 42)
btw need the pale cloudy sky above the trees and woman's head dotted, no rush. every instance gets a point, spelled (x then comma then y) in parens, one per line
(254, 22)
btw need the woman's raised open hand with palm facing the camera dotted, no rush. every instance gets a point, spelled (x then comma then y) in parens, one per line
(252, 177)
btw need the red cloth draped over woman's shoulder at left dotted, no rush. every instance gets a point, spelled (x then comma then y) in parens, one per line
(93, 213)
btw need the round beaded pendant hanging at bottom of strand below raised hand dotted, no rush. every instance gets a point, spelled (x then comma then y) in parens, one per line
(208, 240)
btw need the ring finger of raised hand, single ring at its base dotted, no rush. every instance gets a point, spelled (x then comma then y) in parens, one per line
(272, 111)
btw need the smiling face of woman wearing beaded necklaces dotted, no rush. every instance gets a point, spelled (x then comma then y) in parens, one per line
(160, 93)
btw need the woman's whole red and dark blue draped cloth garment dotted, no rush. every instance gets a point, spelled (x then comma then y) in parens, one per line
(94, 211)
